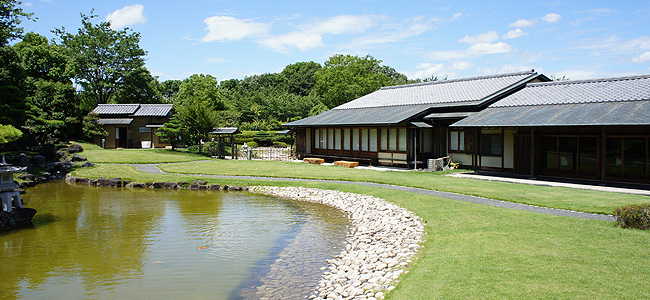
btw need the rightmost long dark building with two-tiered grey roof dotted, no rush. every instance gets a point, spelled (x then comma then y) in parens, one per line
(589, 129)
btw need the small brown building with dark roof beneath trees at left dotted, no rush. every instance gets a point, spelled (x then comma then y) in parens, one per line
(132, 125)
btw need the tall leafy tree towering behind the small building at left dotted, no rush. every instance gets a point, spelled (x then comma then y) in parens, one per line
(104, 58)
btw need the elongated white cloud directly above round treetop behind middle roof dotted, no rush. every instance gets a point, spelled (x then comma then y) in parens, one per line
(342, 24)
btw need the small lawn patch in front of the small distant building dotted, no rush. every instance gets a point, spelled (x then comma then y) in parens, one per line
(96, 154)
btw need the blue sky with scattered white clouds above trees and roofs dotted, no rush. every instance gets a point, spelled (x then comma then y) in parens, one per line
(233, 39)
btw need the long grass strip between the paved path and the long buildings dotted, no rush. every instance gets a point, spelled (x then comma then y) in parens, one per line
(556, 197)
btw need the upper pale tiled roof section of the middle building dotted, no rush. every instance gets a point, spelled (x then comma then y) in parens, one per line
(437, 92)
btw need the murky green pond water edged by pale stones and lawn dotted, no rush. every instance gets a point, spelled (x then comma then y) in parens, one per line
(111, 243)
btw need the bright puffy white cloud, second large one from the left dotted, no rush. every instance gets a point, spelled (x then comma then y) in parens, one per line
(225, 28)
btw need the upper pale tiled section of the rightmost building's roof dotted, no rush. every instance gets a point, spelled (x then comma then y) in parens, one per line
(581, 91)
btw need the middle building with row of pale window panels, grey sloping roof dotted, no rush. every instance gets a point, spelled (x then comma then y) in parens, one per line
(404, 125)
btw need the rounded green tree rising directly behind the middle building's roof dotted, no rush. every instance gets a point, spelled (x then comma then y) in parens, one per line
(346, 77)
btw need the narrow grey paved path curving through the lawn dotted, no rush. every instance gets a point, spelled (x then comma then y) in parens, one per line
(153, 169)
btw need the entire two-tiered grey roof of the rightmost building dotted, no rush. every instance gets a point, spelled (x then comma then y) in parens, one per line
(598, 102)
